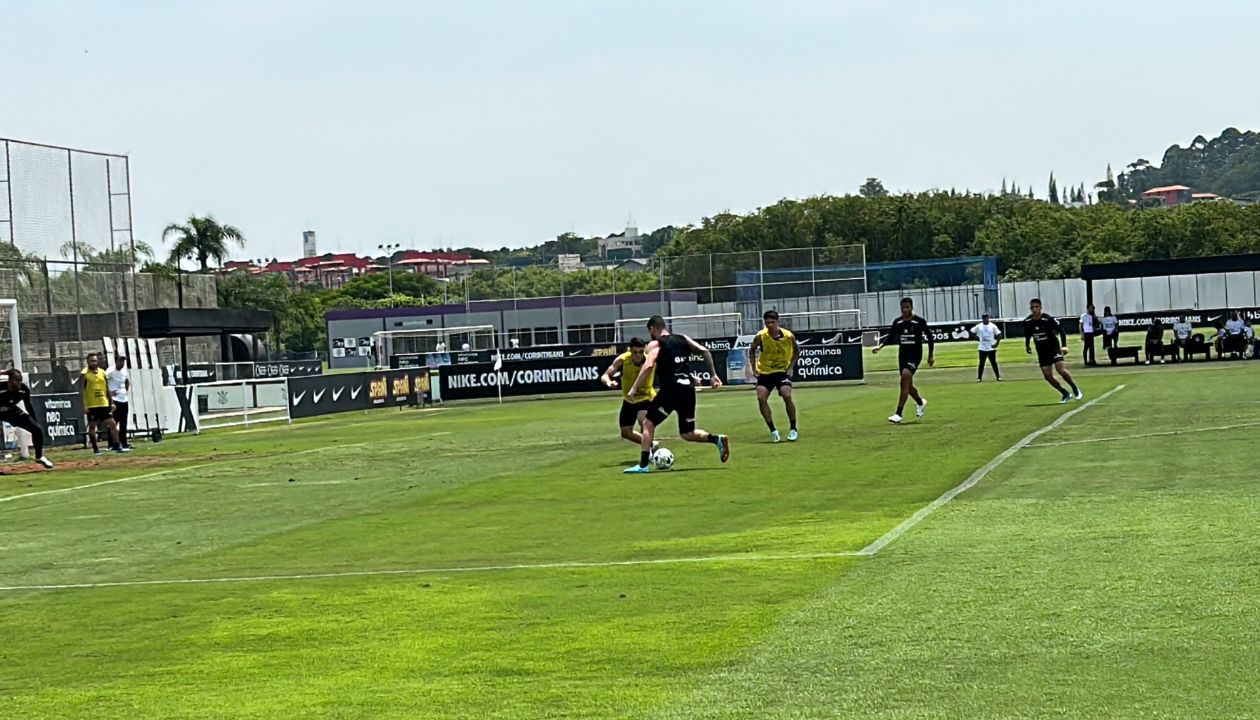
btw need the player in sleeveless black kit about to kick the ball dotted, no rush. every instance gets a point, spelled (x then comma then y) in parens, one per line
(670, 355)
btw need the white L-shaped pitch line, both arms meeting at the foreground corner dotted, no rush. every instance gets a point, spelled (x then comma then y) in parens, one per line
(870, 550)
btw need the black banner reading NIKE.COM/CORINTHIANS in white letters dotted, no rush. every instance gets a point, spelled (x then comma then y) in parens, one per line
(556, 376)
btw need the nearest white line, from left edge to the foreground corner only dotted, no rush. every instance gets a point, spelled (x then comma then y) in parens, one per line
(566, 566)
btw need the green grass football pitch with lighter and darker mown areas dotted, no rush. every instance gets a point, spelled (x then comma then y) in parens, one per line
(493, 562)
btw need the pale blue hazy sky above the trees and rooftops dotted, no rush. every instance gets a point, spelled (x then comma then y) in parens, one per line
(506, 123)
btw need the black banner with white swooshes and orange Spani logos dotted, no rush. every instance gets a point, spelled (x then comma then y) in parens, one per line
(347, 393)
